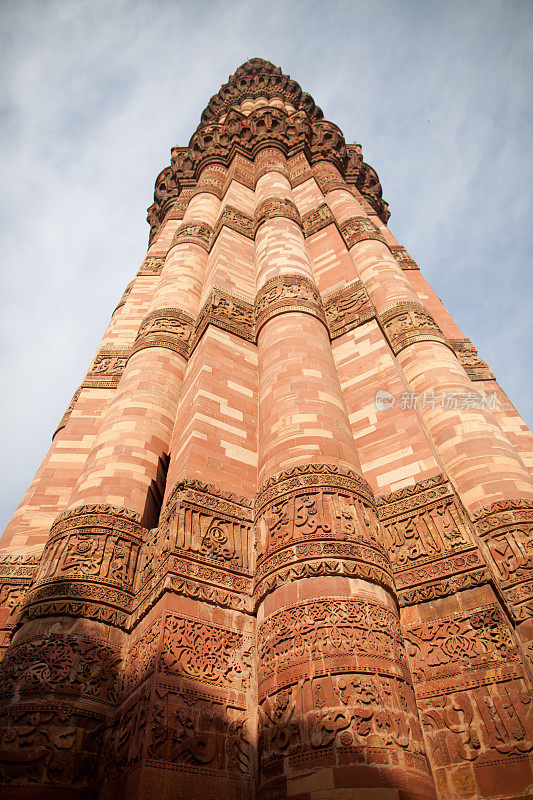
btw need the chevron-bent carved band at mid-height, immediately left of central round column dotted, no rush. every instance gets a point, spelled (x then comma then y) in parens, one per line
(228, 312)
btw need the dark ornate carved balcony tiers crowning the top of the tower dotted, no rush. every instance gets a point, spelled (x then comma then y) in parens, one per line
(260, 107)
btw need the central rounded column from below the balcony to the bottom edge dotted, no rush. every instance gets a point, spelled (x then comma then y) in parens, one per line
(332, 678)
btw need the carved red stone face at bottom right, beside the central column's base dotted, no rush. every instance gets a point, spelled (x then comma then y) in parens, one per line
(474, 700)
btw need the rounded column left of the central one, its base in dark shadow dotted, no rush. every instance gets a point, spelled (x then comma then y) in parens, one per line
(66, 660)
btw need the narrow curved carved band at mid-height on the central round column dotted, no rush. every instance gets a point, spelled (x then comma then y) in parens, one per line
(287, 293)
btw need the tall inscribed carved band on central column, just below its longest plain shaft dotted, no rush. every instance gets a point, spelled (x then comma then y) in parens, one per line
(313, 522)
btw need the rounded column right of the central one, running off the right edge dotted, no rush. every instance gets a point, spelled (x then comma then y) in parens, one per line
(485, 468)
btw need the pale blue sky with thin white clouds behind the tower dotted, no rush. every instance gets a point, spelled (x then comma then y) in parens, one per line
(95, 92)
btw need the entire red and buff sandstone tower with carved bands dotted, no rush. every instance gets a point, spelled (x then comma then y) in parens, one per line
(279, 545)
